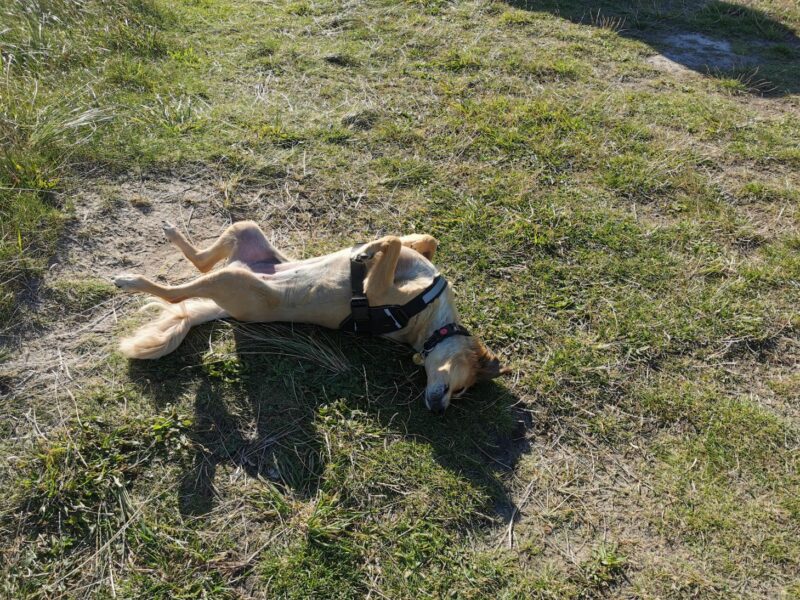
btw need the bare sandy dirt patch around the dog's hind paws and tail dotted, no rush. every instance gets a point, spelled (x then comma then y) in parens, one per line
(116, 228)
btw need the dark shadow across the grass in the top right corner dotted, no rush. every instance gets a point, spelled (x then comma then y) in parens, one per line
(720, 39)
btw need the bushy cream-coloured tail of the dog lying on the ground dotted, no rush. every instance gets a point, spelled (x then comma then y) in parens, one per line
(165, 334)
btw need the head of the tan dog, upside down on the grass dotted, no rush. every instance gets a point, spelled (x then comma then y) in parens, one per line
(455, 365)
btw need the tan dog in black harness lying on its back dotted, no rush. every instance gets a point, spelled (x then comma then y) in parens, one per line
(386, 287)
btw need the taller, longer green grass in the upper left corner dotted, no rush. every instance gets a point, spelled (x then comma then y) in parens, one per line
(50, 111)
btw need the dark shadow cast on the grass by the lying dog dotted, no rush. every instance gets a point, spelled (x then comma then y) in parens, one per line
(257, 407)
